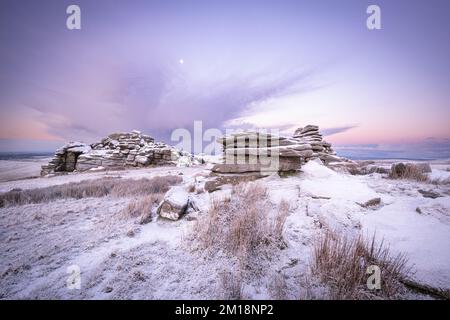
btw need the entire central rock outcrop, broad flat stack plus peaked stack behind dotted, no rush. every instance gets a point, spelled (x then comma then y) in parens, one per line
(252, 155)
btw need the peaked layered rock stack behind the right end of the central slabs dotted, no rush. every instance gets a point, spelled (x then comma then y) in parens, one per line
(321, 149)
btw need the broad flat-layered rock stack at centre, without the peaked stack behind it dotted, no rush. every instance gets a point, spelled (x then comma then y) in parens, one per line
(255, 152)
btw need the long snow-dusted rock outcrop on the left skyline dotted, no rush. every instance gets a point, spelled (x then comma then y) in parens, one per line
(117, 150)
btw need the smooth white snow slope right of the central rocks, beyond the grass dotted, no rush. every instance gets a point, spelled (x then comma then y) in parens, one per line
(425, 237)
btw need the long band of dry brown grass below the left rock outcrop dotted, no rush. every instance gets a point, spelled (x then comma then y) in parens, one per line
(90, 188)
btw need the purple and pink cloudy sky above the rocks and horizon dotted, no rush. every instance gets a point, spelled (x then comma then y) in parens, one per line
(270, 64)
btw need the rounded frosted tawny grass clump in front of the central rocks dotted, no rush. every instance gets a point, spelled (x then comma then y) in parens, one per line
(242, 225)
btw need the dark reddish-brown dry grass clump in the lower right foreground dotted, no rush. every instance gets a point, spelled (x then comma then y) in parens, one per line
(342, 263)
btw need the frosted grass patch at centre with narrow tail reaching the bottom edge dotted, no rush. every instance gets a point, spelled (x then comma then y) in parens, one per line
(246, 229)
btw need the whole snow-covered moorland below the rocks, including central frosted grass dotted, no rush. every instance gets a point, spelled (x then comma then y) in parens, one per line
(119, 257)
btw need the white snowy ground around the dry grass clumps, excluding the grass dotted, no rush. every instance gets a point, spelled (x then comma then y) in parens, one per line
(120, 259)
